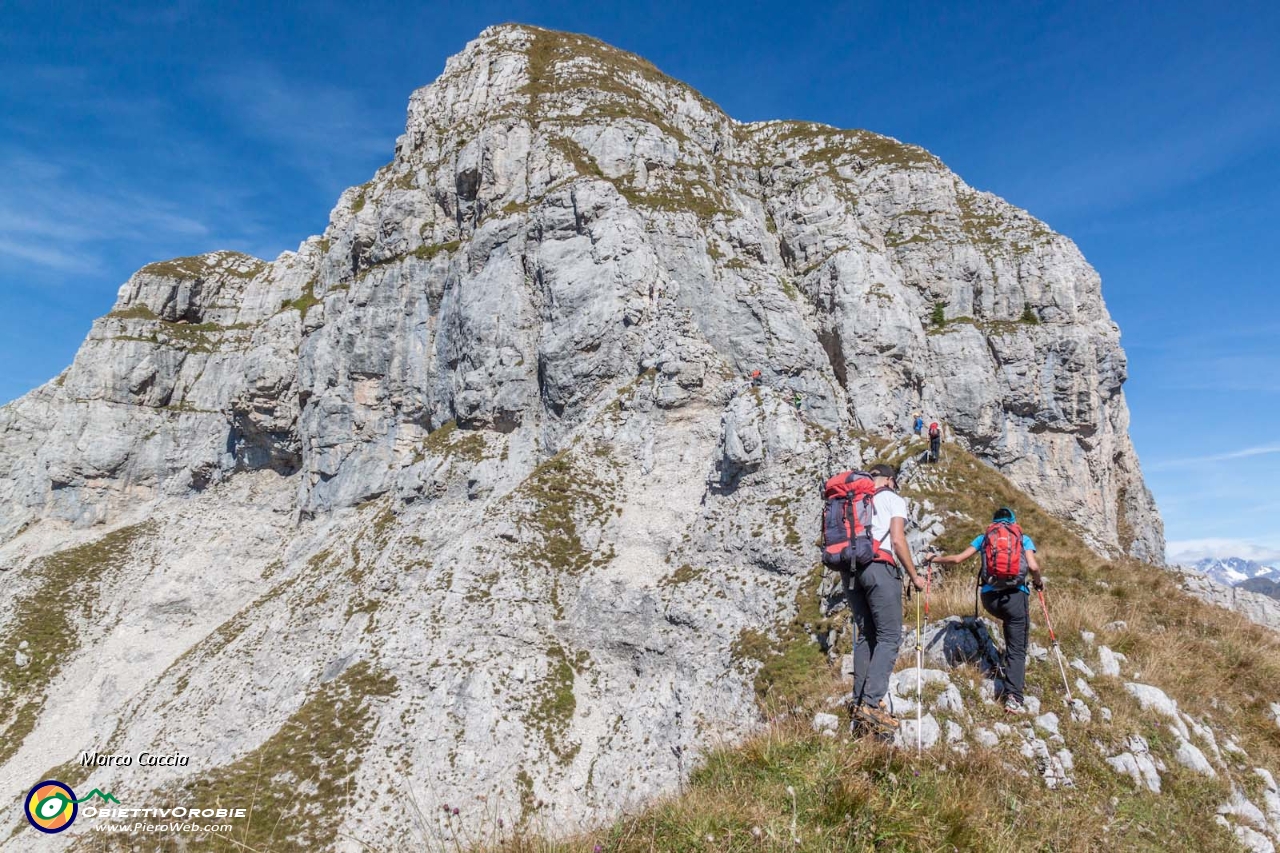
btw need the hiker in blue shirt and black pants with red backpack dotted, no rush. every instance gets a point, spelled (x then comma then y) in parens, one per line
(1008, 559)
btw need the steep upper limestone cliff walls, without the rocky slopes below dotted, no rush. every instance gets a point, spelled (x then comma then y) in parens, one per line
(560, 218)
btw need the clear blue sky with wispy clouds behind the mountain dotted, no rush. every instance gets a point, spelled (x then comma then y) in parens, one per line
(1148, 133)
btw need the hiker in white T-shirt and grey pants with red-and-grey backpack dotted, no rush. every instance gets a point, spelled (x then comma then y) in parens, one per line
(865, 527)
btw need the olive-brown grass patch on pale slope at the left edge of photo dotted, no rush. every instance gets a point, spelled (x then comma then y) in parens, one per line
(49, 618)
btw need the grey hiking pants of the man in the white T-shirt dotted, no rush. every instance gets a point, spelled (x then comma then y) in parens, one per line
(876, 599)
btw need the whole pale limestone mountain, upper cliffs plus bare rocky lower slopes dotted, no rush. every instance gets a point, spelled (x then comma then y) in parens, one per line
(491, 439)
